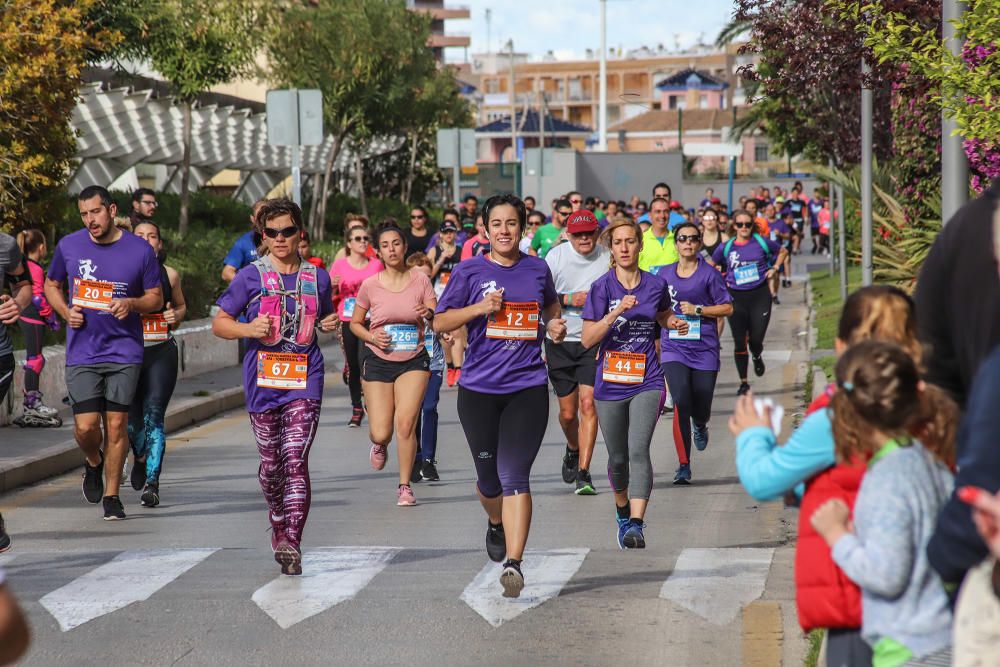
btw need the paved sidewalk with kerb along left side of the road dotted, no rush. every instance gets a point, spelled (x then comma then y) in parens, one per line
(29, 455)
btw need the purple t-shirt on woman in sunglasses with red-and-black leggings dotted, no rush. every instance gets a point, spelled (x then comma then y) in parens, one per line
(705, 287)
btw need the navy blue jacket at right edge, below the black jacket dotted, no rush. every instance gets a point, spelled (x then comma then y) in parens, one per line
(956, 546)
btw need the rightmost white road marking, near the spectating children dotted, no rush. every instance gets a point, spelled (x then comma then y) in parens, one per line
(716, 583)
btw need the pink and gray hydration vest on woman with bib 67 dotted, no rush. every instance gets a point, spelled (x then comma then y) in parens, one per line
(299, 326)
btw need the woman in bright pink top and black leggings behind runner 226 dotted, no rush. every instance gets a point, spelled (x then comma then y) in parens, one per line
(346, 276)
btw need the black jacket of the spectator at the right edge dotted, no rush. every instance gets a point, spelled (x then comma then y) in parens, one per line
(958, 297)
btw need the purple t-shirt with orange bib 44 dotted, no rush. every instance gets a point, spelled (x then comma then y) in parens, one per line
(634, 332)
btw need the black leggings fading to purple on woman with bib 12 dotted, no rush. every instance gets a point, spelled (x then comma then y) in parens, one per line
(505, 432)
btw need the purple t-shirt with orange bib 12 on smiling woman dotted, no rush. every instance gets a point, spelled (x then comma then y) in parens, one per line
(504, 355)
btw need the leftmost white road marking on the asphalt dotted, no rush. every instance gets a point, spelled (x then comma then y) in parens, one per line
(131, 576)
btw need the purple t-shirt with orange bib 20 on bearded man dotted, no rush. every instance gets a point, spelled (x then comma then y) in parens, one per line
(129, 265)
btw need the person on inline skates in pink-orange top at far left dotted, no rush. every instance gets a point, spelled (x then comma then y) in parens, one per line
(36, 318)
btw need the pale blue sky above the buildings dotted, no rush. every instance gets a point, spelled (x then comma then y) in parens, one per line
(569, 27)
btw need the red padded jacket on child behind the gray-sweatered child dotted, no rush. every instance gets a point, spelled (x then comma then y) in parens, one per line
(825, 597)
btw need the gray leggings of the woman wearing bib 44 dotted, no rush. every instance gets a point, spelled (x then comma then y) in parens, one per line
(628, 426)
